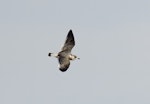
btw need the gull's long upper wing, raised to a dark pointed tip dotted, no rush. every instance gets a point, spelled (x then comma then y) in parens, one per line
(69, 43)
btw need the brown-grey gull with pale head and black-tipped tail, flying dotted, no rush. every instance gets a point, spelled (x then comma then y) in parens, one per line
(65, 56)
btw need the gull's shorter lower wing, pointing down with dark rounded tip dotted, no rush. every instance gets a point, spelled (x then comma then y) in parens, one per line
(64, 63)
